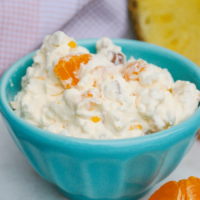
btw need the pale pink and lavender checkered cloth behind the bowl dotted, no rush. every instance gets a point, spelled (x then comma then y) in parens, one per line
(25, 23)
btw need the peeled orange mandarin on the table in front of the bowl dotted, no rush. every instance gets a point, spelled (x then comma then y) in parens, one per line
(183, 190)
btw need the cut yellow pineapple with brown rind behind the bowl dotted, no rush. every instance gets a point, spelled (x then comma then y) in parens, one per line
(174, 24)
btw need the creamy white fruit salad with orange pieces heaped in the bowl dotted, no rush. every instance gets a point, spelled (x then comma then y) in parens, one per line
(106, 97)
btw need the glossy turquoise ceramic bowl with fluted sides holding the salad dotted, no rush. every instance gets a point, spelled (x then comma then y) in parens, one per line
(85, 169)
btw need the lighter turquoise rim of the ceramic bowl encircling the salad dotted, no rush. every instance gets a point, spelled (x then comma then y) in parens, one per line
(40, 134)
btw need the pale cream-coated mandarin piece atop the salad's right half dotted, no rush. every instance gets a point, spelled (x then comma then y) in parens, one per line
(133, 69)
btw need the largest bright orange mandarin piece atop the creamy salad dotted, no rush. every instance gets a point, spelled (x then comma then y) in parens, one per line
(68, 67)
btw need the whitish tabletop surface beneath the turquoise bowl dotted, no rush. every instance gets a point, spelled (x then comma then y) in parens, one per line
(18, 181)
